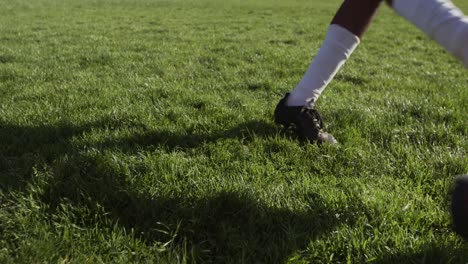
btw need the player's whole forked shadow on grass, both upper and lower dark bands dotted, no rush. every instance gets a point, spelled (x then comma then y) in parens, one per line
(228, 226)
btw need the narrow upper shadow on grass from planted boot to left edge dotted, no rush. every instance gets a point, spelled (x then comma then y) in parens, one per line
(23, 148)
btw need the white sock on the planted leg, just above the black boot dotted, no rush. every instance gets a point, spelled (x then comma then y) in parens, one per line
(336, 49)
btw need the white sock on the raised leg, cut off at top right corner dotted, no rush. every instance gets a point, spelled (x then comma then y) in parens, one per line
(441, 20)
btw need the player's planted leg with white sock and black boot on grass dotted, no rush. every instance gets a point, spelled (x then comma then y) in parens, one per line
(343, 36)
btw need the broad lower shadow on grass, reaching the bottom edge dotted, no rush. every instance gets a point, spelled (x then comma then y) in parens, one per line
(230, 226)
